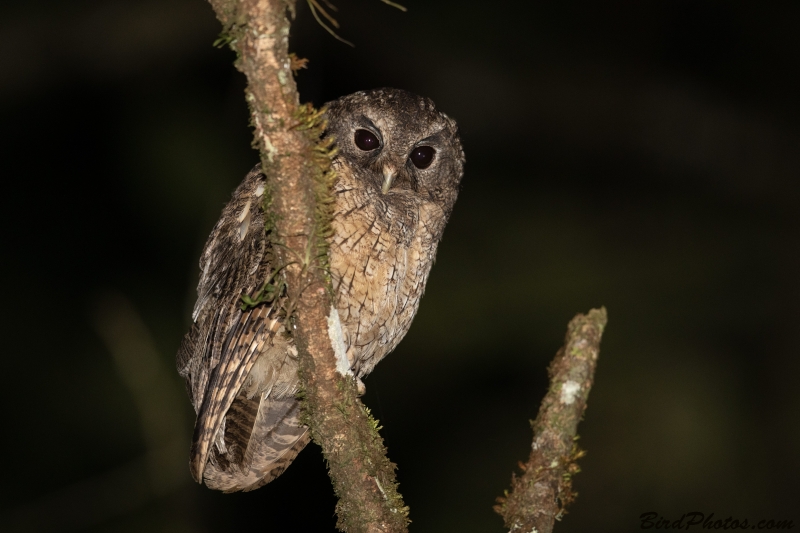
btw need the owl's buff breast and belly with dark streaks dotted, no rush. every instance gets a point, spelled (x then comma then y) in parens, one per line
(380, 259)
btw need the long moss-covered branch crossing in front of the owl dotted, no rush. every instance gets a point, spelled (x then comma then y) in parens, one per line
(297, 165)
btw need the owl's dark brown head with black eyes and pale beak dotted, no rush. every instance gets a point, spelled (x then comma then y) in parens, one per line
(397, 146)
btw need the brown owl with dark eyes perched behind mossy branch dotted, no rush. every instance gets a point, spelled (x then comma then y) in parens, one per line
(399, 166)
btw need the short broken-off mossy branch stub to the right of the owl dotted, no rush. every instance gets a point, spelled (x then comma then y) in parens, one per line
(540, 495)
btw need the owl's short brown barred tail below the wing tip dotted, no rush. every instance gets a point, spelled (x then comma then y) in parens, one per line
(262, 436)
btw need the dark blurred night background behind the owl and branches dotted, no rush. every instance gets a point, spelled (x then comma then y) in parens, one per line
(638, 155)
